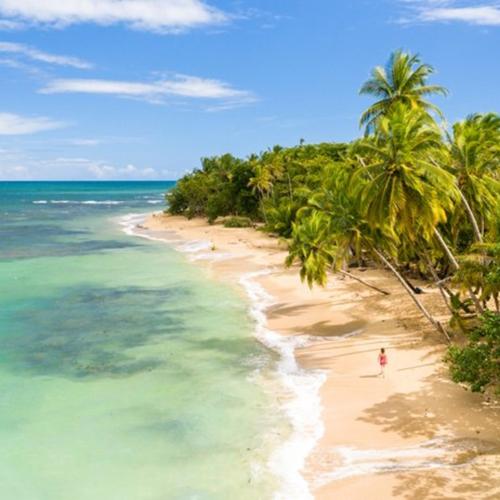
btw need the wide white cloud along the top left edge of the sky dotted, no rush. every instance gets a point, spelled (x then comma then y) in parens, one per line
(153, 15)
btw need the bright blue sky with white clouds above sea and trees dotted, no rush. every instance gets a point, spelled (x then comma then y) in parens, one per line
(142, 89)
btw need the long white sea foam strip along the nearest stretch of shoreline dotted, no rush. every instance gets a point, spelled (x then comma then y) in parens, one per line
(303, 407)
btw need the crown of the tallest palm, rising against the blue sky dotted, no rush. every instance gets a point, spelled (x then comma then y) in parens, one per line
(403, 80)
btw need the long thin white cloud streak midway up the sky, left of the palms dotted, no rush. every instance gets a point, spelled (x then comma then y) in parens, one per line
(180, 86)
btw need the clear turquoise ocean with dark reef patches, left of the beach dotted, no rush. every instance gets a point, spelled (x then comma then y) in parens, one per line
(125, 372)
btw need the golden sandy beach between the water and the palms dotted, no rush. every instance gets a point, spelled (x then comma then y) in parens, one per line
(412, 434)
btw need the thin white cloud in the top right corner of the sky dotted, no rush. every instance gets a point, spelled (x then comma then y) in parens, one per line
(486, 13)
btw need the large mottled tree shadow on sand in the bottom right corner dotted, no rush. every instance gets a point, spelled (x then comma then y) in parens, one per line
(443, 408)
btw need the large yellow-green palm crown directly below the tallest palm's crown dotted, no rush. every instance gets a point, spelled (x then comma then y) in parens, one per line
(401, 188)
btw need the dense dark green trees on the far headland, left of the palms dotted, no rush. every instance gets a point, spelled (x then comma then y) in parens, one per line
(254, 187)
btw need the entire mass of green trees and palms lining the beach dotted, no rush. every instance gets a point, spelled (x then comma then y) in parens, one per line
(412, 194)
